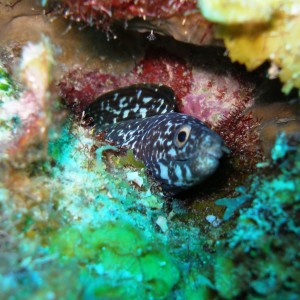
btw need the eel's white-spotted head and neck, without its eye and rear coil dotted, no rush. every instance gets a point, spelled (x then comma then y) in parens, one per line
(153, 141)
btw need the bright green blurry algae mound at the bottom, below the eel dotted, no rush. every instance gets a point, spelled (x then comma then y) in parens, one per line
(120, 256)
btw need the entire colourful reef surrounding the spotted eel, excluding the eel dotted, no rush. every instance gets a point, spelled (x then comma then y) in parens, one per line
(82, 219)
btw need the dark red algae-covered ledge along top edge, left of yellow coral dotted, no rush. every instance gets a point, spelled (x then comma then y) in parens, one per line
(180, 19)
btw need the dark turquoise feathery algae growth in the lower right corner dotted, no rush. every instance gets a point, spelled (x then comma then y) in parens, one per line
(261, 254)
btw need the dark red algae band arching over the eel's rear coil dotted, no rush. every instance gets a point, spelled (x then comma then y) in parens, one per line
(80, 88)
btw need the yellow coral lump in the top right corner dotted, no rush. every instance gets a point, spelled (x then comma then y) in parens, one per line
(257, 31)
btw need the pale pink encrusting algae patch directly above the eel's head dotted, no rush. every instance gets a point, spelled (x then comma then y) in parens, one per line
(214, 97)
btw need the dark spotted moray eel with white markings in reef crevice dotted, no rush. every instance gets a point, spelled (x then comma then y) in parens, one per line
(178, 150)
